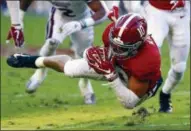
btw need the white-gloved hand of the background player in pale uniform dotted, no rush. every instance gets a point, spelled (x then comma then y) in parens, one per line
(71, 27)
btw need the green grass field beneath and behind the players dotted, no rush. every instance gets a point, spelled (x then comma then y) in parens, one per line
(58, 105)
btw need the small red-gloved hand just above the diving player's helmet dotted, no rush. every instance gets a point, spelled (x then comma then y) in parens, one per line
(114, 14)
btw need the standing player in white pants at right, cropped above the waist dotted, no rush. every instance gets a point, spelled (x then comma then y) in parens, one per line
(171, 19)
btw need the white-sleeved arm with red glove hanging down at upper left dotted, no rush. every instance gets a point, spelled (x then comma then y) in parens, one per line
(16, 30)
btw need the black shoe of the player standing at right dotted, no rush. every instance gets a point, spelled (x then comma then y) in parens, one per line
(165, 103)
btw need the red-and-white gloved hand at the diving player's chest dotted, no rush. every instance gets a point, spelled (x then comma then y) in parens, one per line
(97, 59)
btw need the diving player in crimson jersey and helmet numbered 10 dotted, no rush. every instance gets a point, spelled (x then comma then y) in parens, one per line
(129, 61)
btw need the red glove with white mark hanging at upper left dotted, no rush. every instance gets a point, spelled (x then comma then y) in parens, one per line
(17, 34)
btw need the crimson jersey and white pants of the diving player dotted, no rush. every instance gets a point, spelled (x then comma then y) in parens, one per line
(138, 66)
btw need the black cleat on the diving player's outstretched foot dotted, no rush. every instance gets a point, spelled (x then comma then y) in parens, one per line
(22, 60)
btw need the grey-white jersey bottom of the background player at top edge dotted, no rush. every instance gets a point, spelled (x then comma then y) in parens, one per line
(72, 9)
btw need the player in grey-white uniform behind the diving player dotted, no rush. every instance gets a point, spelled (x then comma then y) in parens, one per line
(76, 20)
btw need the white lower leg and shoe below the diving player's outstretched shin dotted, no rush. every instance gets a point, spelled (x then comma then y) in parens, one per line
(36, 79)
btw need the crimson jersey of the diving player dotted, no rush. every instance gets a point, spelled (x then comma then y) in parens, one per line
(145, 65)
